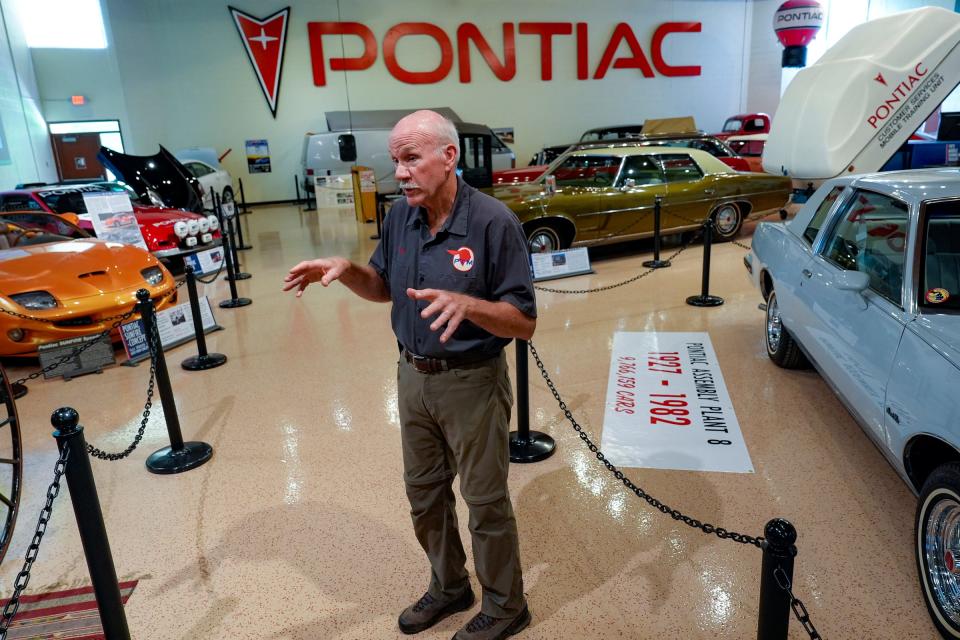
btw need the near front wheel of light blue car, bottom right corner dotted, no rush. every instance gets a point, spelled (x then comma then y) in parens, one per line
(938, 547)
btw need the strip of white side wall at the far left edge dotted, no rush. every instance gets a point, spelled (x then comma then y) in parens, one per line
(20, 113)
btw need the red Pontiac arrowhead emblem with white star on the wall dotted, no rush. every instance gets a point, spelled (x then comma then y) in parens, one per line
(264, 40)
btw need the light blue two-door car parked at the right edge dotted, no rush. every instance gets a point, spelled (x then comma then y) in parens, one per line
(864, 283)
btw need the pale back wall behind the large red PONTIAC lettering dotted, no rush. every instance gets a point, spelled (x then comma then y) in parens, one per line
(186, 80)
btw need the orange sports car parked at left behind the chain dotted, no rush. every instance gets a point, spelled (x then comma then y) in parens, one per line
(52, 270)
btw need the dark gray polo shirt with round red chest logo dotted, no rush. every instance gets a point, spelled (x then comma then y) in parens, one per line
(480, 251)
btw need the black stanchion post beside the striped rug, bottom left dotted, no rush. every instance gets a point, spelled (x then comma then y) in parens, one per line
(93, 533)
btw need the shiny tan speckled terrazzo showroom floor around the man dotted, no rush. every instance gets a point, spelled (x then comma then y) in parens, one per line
(299, 528)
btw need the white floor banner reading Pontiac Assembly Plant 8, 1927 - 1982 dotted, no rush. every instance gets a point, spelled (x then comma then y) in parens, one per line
(668, 407)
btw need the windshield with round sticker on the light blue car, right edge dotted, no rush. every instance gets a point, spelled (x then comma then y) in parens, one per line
(941, 258)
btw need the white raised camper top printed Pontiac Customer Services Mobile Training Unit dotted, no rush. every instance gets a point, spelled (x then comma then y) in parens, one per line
(851, 110)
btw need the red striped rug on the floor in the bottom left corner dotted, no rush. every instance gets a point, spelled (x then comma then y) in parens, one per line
(62, 615)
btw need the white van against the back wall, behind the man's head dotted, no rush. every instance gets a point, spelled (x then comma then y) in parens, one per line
(365, 143)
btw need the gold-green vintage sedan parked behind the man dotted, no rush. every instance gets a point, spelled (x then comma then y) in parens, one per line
(602, 195)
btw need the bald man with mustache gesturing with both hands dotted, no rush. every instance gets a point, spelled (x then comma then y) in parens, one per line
(453, 263)
